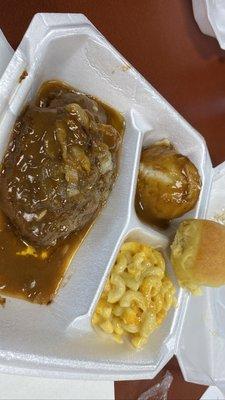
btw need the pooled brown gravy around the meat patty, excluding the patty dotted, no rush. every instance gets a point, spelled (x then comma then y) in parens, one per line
(34, 273)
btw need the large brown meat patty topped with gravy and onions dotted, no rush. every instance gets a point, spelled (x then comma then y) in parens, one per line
(60, 165)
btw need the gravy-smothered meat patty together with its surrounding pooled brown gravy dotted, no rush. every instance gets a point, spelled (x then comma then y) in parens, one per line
(56, 175)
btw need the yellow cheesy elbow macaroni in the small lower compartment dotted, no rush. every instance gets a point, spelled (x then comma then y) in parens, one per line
(137, 295)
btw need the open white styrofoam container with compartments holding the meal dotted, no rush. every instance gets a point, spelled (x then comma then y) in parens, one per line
(58, 340)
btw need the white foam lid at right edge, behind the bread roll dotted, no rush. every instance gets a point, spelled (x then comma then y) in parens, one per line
(201, 346)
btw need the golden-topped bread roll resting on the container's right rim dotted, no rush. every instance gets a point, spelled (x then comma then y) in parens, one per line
(198, 254)
